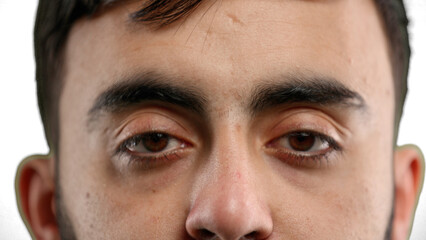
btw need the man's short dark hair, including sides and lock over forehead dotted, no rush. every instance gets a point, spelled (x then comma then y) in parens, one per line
(55, 18)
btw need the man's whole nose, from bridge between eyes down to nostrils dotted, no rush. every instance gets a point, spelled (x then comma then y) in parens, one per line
(228, 205)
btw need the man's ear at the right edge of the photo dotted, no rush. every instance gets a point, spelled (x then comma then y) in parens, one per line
(409, 174)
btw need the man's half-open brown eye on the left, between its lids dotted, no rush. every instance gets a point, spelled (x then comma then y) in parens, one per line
(152, 142)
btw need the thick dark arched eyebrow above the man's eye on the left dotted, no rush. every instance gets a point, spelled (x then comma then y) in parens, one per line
(145, 87)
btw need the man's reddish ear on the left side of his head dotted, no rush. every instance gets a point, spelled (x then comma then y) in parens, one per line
(35, 187)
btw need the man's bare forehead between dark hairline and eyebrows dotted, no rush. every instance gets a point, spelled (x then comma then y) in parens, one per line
(234, 44)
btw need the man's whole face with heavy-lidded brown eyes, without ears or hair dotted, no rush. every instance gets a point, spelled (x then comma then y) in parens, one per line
(240, 133)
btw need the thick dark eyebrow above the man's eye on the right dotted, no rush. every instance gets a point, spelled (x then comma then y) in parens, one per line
(309, 90)
